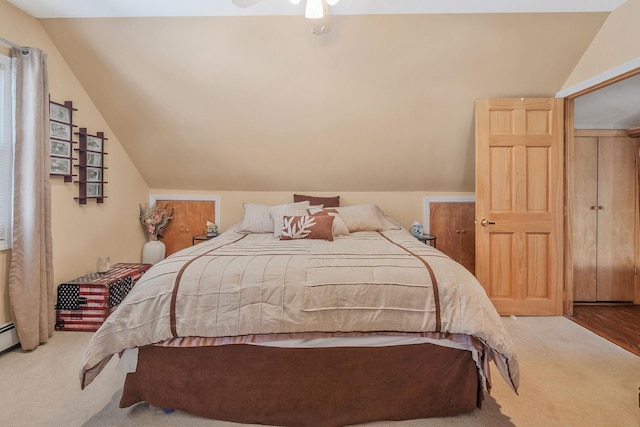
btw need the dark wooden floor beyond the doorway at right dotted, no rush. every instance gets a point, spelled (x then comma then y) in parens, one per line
(619, 324)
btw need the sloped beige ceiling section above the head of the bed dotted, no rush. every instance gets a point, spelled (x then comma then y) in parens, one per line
(381, 103)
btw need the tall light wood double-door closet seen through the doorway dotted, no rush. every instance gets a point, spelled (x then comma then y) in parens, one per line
(604, 216)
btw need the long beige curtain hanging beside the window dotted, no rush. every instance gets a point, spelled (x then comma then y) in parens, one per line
(31, 271)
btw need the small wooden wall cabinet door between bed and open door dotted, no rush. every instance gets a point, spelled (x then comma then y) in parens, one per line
(453, 223)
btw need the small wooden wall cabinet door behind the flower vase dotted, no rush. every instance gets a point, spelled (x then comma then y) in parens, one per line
(189, 219)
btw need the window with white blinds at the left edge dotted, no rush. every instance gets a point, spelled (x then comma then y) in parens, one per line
(6, 153)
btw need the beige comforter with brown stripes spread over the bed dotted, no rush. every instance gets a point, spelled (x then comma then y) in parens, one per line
(240, 284)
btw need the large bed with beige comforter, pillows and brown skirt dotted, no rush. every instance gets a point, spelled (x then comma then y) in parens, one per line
(301, 314)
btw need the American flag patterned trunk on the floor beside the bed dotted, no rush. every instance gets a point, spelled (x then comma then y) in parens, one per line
(85, 302)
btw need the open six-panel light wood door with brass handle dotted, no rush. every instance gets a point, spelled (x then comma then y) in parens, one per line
(519, 204)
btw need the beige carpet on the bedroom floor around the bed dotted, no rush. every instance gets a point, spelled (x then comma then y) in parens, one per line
(570, 377)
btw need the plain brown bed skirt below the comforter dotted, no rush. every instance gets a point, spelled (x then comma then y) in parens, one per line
(306, 387)
